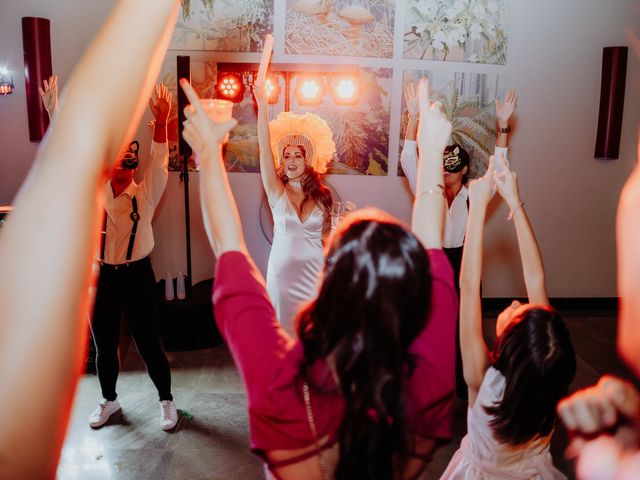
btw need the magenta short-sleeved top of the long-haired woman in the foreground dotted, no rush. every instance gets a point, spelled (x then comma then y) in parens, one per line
(269, 360)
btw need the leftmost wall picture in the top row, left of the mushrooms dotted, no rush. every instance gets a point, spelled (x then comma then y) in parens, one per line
(223, 25)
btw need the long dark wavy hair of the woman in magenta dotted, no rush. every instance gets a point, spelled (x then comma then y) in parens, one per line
(373, 302)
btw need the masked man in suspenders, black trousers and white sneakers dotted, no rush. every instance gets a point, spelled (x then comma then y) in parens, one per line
(127, 282)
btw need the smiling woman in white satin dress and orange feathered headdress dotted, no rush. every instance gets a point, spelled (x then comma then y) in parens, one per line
(300, 203)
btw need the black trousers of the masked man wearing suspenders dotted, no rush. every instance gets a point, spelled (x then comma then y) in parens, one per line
(130, 289)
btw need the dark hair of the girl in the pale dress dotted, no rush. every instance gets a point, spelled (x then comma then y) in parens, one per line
(537, 359)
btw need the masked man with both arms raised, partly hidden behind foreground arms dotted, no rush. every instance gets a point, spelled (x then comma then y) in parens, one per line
(455, 163)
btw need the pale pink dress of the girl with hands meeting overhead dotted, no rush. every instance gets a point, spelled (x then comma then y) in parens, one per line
(482, 457)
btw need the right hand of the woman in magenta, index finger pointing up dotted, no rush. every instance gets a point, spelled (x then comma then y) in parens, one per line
(434, 129)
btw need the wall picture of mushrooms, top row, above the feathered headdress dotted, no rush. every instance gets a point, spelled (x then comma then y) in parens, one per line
(358, 28)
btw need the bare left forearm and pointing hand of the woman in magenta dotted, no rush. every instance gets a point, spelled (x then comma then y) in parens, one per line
(219, 209)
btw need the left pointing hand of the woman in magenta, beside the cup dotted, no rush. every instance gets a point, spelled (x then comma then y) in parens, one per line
(200, 132)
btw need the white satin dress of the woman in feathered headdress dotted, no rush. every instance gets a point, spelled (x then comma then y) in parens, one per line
(295, 261)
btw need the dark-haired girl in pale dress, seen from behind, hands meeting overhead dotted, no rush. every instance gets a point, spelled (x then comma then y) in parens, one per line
(515, 388)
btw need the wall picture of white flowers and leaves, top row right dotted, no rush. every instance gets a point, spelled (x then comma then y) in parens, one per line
(456, 30)
